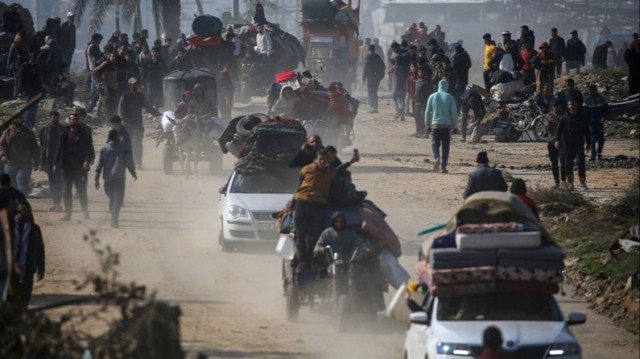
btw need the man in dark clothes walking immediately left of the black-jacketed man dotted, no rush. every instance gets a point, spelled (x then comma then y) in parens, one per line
(49, 143)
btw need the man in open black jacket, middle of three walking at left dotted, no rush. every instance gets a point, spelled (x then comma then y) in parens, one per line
(74, 159)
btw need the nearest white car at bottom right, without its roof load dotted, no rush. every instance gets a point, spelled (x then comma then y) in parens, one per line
(532, 326)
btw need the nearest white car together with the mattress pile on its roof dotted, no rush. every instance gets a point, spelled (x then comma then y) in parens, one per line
(493, 264)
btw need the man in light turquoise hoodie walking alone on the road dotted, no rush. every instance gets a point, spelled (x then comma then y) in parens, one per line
(441, 116)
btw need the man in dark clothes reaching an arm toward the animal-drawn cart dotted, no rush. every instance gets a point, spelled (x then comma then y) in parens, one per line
(130, 111)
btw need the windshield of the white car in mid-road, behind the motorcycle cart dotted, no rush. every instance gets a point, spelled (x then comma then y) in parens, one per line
(285, 182)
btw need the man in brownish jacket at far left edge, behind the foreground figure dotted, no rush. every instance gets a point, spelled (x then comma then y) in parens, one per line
(20, 154)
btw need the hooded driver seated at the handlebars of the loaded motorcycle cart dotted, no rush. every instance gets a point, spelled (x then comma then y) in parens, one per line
(342, 240)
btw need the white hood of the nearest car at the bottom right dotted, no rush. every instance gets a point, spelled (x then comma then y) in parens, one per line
(516, 333)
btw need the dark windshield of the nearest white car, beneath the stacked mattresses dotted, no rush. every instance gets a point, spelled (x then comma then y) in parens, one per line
(499, 306)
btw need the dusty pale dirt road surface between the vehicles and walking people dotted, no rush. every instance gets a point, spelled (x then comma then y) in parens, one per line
(233, 304)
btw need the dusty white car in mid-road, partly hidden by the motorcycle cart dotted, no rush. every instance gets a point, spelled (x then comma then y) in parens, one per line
(247, 202)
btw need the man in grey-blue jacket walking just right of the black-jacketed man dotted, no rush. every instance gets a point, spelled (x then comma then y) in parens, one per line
(114, 160)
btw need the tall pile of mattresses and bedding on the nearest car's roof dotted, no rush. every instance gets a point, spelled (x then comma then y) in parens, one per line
(494, 243)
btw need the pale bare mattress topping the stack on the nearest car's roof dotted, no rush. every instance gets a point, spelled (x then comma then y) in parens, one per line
(498, 240)
